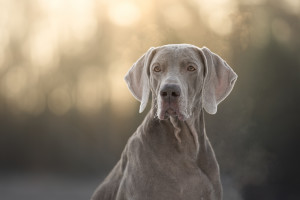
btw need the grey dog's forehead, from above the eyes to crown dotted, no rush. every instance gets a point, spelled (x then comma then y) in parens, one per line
(176, 53)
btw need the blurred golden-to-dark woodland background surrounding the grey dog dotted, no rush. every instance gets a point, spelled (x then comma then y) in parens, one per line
(66, 113)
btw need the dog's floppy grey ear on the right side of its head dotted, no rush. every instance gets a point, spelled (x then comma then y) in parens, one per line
(218, 81)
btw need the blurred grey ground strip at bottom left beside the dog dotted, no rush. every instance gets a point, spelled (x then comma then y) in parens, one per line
(46, 187)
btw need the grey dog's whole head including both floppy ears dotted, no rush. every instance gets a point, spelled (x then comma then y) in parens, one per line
(181, 77)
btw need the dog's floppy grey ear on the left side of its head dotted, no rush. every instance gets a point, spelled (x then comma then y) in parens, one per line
(137, 78)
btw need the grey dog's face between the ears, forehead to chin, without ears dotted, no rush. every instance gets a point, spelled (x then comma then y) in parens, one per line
(176, 80)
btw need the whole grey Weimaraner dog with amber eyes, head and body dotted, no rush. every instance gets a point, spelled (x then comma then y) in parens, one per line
(169, 157)
